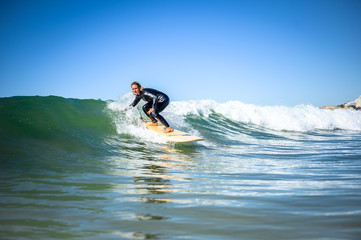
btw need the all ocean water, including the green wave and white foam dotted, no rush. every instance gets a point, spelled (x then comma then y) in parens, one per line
(83, 169)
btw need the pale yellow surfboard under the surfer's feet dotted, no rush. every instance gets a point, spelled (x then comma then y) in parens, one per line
(175, 136)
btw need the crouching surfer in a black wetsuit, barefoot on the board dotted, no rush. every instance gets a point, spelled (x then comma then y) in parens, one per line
(156, 102)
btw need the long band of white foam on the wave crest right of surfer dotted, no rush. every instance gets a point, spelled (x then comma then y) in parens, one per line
(297, 118)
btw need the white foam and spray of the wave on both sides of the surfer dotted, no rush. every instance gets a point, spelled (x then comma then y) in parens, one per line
(297, 118)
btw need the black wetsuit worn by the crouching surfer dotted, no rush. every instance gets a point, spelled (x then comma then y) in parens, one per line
(156, 100)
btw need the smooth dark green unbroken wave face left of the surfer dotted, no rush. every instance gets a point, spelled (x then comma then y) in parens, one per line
(51, 127)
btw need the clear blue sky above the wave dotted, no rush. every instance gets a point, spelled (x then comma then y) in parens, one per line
(265, 52)
